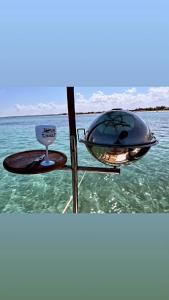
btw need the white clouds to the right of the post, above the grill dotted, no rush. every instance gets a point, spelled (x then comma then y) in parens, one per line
(129, 99)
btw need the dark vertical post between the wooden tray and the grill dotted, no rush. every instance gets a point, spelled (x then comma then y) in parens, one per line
(73, 145)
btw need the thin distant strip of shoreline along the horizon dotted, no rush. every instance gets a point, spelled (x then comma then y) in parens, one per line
(93, 113)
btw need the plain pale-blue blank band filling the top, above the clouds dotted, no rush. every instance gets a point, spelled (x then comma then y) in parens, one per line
(110, 42)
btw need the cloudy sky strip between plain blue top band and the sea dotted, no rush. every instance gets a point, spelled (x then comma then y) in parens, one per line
(15, 101)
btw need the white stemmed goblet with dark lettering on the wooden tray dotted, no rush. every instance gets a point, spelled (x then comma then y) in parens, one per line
(46, 135)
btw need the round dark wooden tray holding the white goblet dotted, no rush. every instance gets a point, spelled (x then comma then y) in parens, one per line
(24, 162)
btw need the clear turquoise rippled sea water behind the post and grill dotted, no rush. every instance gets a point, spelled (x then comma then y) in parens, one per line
(140, 188)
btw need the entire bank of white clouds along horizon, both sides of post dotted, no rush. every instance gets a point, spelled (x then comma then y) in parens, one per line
(99, 101)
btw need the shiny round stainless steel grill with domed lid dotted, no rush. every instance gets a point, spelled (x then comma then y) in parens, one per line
(118, 137)
